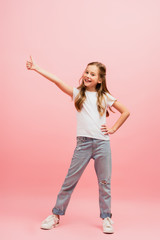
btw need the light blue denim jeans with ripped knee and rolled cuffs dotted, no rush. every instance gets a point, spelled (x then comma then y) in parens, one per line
(86, 149)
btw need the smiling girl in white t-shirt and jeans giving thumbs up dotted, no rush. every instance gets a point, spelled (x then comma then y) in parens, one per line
(92, 101)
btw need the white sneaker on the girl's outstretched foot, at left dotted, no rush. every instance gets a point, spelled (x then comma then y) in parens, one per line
(50, 222)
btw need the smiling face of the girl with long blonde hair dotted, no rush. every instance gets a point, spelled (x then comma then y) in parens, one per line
(91, 77)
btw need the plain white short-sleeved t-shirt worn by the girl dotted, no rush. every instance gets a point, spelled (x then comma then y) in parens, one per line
(89, 120)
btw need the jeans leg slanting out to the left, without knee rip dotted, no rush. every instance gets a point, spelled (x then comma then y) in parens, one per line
(81, 157)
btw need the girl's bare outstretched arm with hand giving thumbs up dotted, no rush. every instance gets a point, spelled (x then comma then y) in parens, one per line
(31, 65)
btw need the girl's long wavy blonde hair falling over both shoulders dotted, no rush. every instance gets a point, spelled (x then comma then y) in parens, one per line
(101, 89)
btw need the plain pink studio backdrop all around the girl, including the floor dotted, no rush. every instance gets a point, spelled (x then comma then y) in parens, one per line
(38, 124)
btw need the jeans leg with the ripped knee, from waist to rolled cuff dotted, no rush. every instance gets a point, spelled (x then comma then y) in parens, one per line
(103, 168)
